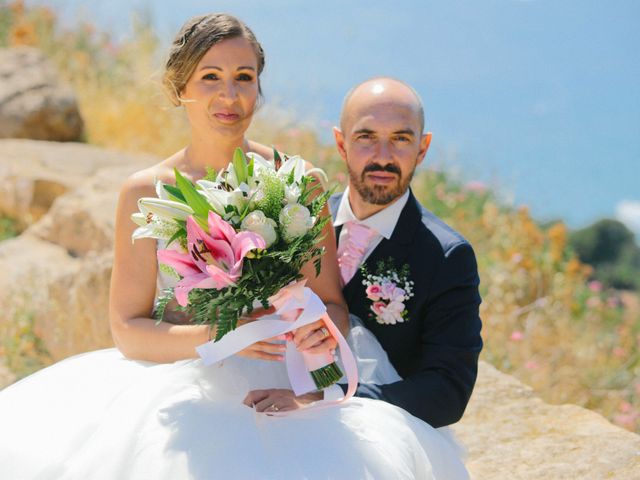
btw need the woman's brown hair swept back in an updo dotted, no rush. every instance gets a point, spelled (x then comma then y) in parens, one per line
(194, 39)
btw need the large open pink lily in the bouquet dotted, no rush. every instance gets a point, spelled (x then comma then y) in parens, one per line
(214, 259)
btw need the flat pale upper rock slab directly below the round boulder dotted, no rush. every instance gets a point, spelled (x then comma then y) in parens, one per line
(34, 173)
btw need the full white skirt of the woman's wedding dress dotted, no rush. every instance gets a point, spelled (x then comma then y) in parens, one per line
(99, 415)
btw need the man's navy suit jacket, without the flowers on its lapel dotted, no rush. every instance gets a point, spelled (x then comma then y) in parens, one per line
(436, 349)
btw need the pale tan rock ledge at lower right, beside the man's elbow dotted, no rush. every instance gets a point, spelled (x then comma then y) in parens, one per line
(512, 434)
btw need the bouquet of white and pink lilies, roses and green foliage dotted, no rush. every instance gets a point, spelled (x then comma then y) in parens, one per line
(237, 238)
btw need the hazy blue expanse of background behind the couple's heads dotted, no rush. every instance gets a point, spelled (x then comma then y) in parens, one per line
(539, 97)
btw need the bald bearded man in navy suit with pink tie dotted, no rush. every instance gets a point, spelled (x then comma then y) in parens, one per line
(430, 329)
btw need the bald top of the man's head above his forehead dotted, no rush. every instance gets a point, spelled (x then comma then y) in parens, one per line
(380, 90)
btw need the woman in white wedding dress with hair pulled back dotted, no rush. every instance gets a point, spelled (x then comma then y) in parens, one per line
(150, 408)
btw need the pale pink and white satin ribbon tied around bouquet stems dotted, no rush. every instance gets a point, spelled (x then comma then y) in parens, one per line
(289, 301)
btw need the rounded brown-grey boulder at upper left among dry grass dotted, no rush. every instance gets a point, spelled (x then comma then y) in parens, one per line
(33, 102)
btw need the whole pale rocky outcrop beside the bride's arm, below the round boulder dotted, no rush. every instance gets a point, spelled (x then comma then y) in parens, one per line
(57, 272)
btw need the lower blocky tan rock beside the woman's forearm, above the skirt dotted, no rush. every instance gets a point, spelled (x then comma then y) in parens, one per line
(66, 297)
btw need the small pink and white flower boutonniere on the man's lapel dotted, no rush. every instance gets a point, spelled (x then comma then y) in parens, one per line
(388, 289)
